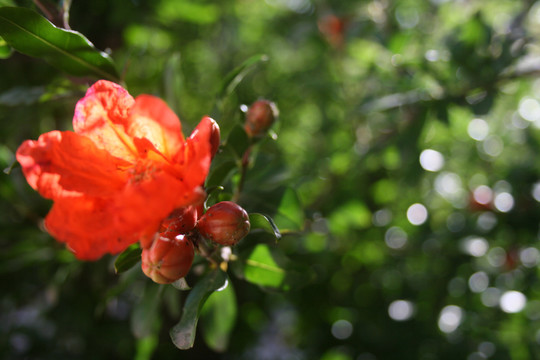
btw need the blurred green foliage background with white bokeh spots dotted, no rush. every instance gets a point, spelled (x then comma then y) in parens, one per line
(408, 134)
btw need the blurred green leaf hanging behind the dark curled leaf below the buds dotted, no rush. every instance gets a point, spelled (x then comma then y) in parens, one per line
(218, 317)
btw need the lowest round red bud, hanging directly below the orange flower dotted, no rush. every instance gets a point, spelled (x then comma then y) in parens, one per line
(169, 258)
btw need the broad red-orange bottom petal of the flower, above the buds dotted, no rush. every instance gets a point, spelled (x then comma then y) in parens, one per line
(94, 226)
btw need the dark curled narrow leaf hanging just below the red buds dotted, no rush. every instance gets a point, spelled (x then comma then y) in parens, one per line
(183, 333)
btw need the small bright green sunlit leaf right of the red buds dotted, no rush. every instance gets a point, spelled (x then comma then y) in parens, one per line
(262, 269)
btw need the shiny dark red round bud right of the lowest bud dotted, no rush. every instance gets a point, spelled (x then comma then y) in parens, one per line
(225, 223)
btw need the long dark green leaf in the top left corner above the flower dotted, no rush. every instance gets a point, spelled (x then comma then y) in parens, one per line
(31, 34)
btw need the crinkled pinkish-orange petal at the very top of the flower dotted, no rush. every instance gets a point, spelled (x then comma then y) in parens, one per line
(102, 115)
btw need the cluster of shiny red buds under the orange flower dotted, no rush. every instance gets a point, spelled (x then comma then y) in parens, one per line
(169, 255)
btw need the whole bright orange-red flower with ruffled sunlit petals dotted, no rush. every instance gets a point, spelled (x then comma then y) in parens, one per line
(125, 168)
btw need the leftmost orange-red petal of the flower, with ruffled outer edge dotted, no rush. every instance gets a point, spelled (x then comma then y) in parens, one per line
(63, 163)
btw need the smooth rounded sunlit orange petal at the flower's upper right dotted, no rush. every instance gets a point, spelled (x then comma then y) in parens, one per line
(152, 119)
